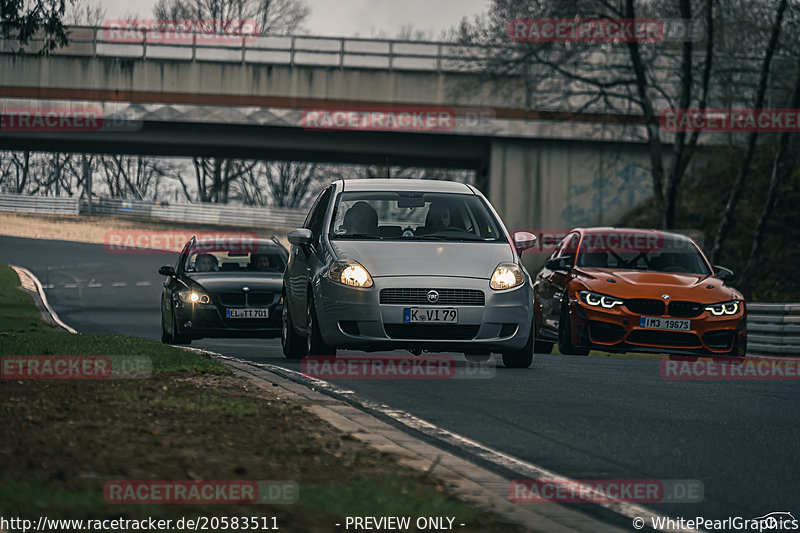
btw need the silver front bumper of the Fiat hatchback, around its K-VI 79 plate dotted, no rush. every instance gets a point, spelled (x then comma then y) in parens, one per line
(355, 318)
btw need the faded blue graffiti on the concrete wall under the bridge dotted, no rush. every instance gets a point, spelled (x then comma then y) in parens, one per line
(608, 196)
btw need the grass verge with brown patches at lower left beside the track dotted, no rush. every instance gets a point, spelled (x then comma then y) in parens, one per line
(63, 440)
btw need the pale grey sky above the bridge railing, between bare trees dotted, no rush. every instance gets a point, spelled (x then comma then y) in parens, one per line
(362, 18)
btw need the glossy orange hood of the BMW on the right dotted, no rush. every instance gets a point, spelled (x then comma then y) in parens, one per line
(645, 284)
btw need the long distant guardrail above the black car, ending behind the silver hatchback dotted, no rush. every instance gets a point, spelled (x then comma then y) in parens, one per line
(229, 215)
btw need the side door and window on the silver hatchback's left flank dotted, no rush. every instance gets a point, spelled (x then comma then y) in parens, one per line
(303, 261)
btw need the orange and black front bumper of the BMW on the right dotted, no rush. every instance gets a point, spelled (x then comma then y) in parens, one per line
(618, 330)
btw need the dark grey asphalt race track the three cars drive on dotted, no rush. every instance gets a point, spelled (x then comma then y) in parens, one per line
(583, 417)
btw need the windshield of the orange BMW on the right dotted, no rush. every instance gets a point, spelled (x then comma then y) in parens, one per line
(641, 251)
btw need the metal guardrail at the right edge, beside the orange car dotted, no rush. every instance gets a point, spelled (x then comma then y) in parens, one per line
(773, 329)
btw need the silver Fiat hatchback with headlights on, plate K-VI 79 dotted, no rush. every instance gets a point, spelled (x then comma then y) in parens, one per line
(422, 265)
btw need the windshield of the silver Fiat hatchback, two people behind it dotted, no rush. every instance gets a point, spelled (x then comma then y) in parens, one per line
(413, 216)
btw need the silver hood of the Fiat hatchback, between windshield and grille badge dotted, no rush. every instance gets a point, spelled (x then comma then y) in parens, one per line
(425, 258)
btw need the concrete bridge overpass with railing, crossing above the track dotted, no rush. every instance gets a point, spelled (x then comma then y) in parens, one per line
(542, 168)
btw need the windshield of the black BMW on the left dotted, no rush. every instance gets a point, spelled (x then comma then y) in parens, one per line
(265, 259)
